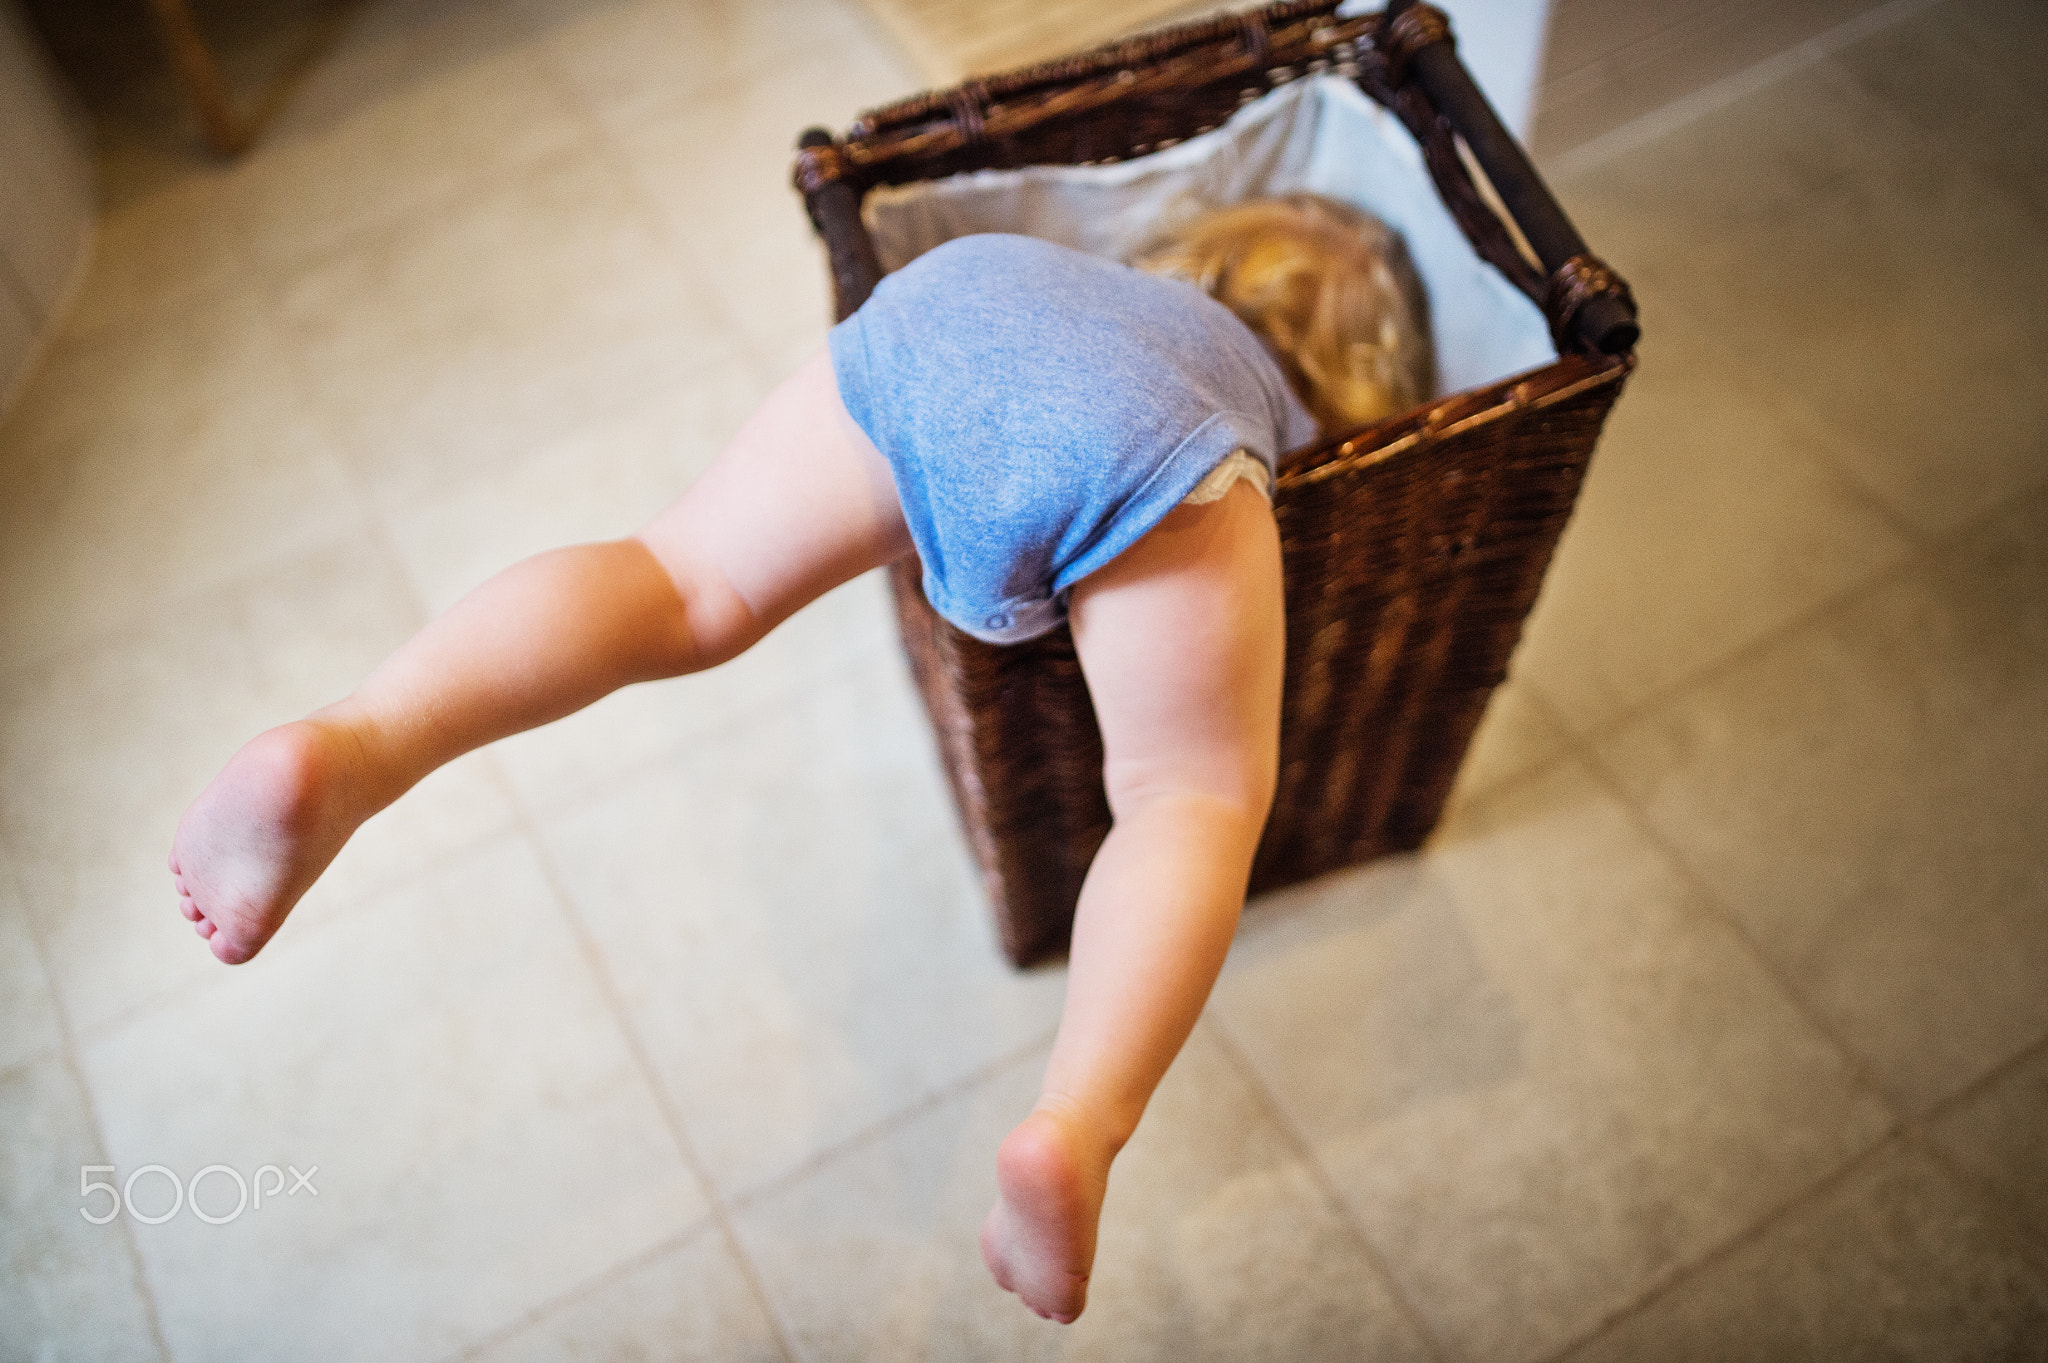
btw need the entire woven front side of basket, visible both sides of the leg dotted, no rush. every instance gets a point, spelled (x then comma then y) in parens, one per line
(1412, 556)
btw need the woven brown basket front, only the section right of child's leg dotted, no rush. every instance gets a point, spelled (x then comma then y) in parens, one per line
(1408, 580)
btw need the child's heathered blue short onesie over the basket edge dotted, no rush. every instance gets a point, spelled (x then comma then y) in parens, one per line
(1041, 410)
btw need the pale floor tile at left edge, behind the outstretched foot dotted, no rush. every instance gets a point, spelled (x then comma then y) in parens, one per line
(101, 750)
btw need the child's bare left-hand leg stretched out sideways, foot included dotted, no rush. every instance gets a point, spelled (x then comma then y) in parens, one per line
(798, 504)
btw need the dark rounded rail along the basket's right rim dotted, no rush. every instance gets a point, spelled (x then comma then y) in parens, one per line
(1588, 304)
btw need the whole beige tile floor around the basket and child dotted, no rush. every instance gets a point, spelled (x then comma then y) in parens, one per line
(1713, 1022)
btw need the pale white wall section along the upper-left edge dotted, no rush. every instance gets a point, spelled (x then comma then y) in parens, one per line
(46, 197)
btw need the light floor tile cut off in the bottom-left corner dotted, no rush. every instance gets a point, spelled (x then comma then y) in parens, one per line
(69, 1290)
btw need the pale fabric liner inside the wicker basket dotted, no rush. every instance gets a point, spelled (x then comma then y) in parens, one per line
(1318, 136)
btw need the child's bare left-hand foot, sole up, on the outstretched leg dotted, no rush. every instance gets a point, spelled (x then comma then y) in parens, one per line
(263, 832)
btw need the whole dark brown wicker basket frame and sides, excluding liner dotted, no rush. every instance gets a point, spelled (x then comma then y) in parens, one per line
(1412, 549)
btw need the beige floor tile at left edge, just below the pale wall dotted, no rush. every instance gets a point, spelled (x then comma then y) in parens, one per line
(173, 474)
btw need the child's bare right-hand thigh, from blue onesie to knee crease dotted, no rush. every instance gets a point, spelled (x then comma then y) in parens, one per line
(1183, 644)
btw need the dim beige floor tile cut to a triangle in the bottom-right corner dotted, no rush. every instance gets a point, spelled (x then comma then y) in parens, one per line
(1893, 1264)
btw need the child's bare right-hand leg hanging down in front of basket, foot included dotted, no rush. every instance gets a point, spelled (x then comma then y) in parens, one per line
(1183, 648)
